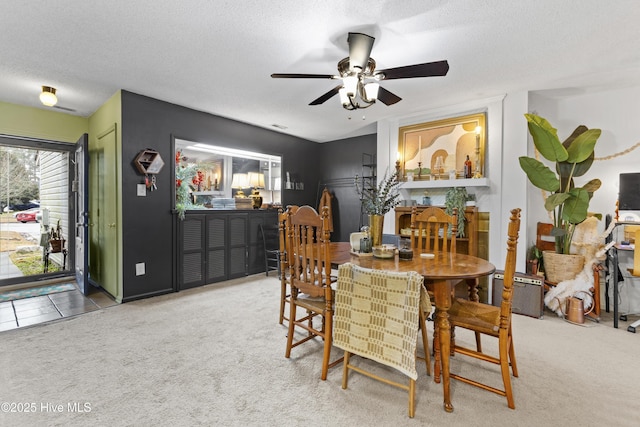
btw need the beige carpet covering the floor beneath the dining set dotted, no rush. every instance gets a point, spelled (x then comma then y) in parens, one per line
(214, 356)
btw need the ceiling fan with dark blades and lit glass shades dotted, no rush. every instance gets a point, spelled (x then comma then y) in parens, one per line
(360, 87)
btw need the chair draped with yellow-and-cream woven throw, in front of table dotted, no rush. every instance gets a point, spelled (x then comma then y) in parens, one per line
(377, 316)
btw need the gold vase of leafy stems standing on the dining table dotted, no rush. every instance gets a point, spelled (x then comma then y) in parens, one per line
(377, 201)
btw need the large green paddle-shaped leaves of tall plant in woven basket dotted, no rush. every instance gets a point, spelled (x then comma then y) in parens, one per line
(567, 202)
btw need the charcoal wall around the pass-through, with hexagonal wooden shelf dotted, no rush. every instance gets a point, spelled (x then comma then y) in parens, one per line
(148, 223)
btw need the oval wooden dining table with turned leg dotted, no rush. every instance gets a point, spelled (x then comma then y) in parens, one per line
(443, 270)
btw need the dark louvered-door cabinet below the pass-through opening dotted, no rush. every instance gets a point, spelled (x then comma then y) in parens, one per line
(220, 245)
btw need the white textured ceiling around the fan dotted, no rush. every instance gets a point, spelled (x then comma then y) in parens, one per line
(217, 56)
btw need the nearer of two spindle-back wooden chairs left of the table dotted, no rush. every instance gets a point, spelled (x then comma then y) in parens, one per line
(310, 280)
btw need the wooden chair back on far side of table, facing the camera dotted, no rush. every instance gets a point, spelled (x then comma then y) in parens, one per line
(432, 230)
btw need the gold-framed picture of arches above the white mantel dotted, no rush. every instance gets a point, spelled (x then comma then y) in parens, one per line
(452, 148)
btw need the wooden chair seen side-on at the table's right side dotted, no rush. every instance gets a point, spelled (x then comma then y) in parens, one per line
(493, 321)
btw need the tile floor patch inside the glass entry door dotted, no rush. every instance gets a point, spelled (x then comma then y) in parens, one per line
(30, 311)
